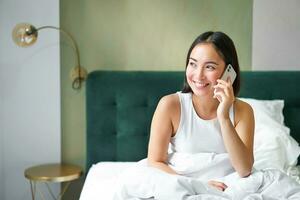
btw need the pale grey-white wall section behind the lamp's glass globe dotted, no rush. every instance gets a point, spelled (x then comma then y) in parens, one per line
(30, 96)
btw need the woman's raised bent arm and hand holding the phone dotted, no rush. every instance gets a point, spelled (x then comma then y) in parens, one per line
(238, 139)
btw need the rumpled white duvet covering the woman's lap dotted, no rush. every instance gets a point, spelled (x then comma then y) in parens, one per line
(143, 182)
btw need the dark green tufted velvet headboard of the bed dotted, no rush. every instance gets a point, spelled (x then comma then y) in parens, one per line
(120, 105)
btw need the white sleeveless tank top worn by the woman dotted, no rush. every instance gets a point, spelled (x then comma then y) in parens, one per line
(195, 135)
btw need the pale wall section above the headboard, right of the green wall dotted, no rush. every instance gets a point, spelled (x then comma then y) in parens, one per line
(276, 35)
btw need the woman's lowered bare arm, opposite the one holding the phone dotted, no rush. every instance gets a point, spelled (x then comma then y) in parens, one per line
(162, 128)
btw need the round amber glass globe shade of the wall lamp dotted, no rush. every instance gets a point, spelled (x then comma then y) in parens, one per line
(24, 34)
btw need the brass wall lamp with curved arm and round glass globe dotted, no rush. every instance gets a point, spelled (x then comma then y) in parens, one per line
(25, 35)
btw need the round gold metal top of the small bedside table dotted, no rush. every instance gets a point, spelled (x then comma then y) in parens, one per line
(58, 172)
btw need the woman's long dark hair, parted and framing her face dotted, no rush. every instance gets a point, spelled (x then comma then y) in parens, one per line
(225, 48)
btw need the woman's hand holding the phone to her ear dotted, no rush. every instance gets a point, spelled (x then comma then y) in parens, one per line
(225, 95)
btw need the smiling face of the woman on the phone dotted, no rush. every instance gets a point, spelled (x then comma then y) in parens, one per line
(204, 68)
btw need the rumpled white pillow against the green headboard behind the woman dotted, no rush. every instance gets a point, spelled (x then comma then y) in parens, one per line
(273, 145)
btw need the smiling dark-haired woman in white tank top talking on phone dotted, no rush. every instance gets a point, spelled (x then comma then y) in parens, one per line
(203, 111)
